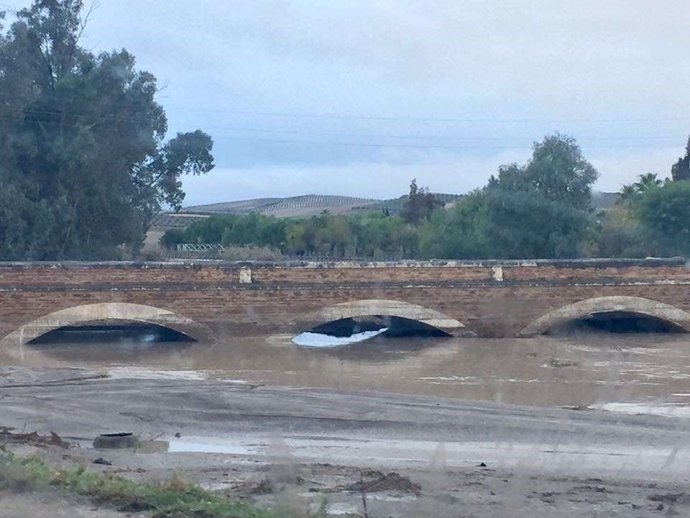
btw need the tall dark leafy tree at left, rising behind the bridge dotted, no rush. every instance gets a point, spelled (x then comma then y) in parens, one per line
(82, 149)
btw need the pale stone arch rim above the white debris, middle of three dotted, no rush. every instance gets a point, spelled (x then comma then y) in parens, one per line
(386, 308)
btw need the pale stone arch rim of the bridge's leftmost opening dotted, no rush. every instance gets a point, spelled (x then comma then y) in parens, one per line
(106, 312)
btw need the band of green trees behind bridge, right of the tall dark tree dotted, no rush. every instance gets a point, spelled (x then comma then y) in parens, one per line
(520, 214)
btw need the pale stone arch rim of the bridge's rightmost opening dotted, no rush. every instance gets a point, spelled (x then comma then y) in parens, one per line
(608, 305)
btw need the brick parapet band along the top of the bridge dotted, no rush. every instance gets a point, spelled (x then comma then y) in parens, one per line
(26, 275)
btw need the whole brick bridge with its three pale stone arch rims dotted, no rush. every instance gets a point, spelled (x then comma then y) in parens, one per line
(208, 300)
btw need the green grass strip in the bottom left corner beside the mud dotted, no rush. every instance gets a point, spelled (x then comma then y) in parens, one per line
(171, 499)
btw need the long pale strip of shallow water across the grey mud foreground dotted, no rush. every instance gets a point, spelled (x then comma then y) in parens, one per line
(403, 453)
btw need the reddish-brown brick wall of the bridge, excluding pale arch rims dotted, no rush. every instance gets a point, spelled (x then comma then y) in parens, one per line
(491, 298)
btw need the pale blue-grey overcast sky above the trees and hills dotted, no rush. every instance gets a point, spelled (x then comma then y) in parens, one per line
(357, 97)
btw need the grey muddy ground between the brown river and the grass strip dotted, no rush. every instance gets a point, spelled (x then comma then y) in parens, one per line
(404, 455)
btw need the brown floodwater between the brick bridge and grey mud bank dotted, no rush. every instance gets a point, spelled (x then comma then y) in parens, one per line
(648, 373)
